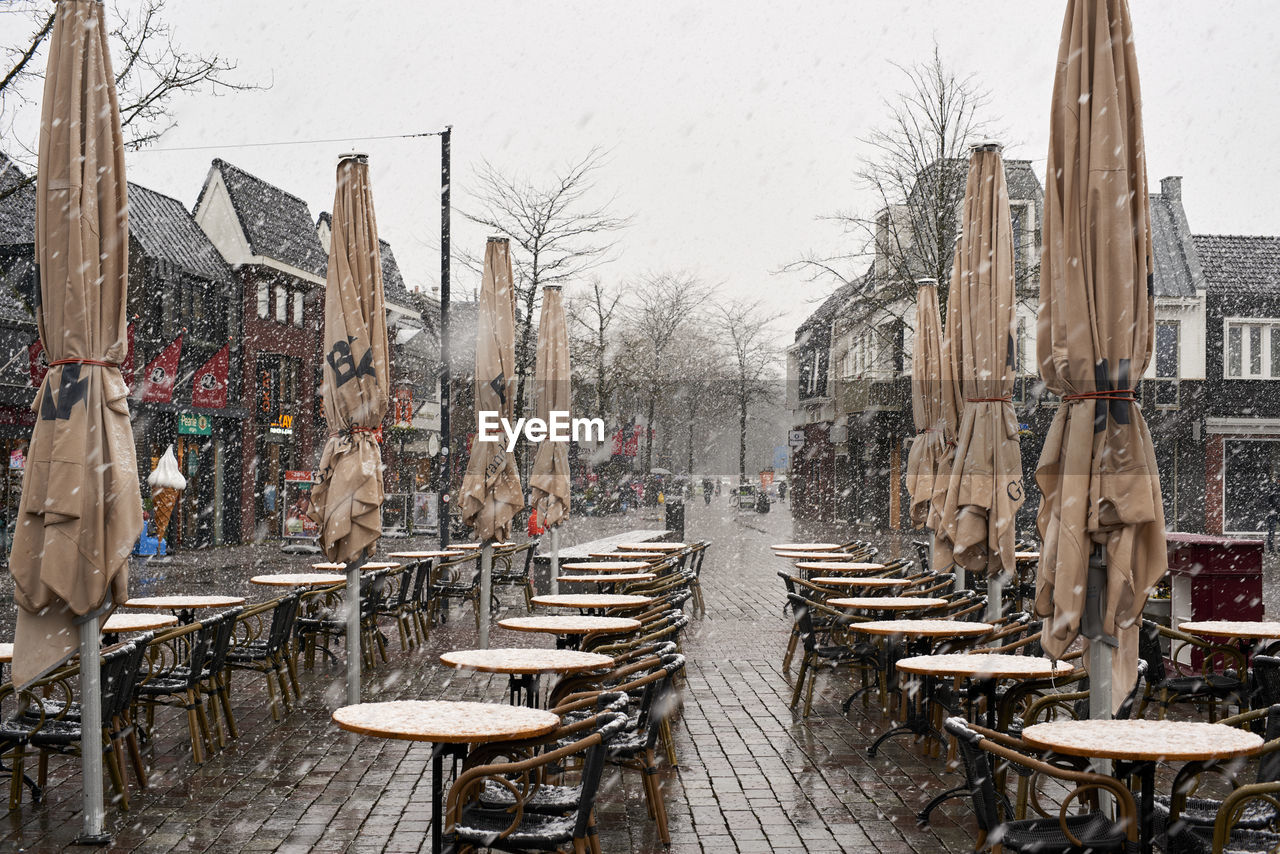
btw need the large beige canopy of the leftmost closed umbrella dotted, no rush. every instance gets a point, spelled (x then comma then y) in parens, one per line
(81, 504)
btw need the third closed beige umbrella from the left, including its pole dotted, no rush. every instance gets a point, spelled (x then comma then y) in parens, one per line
(491, 494)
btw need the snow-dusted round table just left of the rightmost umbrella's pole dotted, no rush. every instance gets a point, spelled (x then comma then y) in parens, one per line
(984, 669)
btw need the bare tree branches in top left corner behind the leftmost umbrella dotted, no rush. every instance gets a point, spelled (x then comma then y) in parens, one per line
(152, 68)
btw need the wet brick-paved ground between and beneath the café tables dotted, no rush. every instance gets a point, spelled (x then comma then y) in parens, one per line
(753, 777)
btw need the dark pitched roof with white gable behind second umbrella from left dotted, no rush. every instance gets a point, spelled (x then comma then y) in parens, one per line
(276, 223)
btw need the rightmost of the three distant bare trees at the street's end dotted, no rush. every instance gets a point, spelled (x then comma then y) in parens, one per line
(746, 337)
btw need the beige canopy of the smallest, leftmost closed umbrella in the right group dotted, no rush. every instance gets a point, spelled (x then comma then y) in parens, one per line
(929, 447)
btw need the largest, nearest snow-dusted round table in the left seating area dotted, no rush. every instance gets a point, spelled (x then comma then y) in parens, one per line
(450, 728)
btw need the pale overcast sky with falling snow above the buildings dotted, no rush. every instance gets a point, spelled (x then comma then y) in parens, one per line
(732, 126)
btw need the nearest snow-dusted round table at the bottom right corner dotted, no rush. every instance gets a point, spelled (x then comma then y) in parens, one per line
(1137, 746)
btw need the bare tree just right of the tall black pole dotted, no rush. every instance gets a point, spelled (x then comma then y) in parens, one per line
(559, 232)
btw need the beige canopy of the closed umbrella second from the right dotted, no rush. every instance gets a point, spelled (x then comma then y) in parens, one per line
(985, 488)
